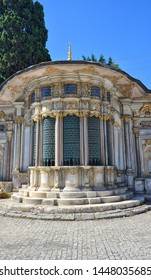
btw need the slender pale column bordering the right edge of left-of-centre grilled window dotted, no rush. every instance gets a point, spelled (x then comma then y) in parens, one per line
(57, 142)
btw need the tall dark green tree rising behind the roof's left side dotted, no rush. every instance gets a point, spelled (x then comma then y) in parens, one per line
(23, 36)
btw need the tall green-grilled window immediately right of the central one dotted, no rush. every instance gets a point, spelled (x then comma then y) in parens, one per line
(94, 141)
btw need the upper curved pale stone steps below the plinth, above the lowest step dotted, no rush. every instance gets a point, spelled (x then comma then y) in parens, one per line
(115, 198)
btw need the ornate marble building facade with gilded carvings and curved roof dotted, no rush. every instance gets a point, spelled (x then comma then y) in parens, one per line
(71, 125)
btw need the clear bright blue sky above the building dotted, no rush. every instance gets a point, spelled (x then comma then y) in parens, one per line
(116, 28)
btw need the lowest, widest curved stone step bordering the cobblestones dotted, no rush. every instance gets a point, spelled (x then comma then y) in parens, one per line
(85, 212)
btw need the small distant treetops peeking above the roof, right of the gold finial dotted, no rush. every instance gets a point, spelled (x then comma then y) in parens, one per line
(101, 59)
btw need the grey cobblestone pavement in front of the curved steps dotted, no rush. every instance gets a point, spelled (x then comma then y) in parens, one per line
(123, 238)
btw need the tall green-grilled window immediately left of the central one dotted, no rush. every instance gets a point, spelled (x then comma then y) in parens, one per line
(48, 151)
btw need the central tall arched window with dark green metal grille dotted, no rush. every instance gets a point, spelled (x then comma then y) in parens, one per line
(71, 140)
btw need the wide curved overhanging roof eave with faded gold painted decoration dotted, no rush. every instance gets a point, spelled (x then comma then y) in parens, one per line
(114, 80)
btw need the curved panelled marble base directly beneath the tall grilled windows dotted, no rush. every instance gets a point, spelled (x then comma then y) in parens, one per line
(71, 178)
